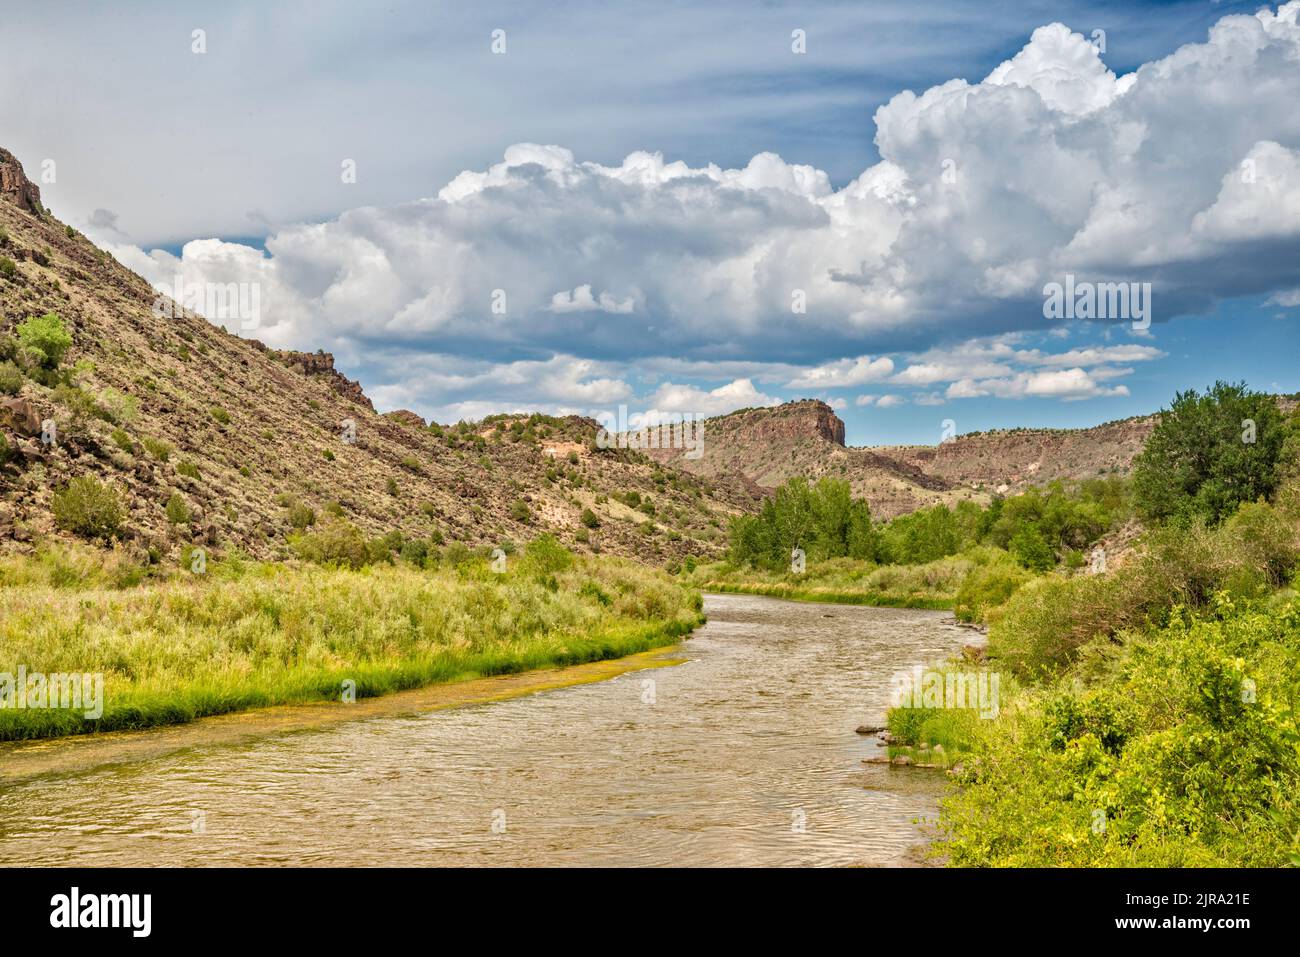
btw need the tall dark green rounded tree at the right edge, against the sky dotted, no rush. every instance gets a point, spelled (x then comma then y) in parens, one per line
(1210, 454)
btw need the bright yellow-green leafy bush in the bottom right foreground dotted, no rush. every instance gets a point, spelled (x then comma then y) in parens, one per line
(1185, 756)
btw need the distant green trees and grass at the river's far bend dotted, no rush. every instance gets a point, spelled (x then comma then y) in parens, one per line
(969, 558)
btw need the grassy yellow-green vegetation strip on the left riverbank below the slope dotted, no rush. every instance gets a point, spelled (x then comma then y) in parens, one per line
(249, 635)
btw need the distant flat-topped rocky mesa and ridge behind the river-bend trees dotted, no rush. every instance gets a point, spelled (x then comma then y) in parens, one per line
(807, 439)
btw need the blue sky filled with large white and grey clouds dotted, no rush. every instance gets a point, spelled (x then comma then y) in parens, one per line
(669, 289)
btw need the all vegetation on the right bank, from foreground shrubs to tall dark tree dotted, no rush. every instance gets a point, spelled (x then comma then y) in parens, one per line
(1151, 717)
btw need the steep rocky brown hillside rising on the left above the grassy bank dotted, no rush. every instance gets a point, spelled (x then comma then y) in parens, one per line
(205, 438)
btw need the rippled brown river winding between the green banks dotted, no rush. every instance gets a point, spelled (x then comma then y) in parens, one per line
(743, 755)
